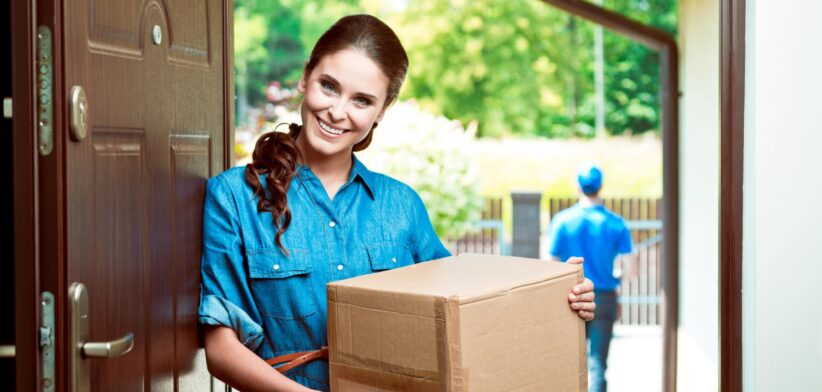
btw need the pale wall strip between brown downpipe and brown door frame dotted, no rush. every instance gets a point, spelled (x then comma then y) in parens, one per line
(699, 196)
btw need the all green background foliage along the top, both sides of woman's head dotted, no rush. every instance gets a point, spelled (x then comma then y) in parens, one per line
(515, 67)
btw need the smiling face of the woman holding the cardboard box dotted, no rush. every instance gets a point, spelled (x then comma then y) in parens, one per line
(343, 96)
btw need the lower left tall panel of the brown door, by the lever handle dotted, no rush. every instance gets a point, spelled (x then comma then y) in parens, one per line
(117, 237)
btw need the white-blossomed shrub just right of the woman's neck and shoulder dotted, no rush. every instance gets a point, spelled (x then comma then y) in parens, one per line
(435, 156)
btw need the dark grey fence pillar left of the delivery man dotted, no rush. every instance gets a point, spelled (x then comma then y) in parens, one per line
(525, 241)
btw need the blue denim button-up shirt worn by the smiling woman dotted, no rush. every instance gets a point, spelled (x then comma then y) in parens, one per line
(276, 302)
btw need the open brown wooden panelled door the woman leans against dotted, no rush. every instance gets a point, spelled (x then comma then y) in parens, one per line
(155, 80)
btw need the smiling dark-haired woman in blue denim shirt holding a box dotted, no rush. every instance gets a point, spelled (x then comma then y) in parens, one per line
(307, 212)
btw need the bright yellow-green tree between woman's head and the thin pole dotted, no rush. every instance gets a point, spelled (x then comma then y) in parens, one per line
(495, 62)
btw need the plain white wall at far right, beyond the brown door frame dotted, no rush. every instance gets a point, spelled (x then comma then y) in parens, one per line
(782, 239)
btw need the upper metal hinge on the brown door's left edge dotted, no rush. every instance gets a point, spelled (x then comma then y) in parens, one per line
(44, 89)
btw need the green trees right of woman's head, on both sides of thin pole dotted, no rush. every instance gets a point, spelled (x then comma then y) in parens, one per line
(524, 67)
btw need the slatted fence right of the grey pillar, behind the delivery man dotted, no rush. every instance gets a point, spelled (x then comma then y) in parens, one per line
(639, 290)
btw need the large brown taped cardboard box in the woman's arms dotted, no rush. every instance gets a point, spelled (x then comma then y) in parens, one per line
(465, 323)
